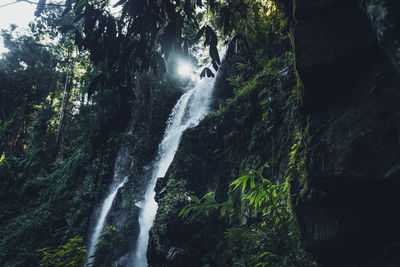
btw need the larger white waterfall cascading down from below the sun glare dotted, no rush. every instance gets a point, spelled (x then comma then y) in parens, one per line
(188, 111)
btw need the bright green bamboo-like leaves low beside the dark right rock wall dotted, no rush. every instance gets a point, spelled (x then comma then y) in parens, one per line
(262, 204)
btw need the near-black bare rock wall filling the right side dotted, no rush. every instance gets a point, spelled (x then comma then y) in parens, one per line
(351, 93)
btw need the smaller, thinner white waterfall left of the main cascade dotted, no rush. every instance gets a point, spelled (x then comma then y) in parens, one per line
(122, 169)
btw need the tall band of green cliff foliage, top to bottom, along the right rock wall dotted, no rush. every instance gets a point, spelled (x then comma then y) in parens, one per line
(261, 227)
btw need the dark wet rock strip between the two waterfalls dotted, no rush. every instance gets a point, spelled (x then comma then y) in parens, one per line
(152, 106)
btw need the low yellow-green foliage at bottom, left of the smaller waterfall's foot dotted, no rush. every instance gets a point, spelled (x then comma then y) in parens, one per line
(73, 254)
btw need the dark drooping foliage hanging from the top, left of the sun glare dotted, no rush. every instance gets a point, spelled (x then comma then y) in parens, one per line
(139, 39)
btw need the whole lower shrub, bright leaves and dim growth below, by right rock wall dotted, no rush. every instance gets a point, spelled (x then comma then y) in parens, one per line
(261, 232)
